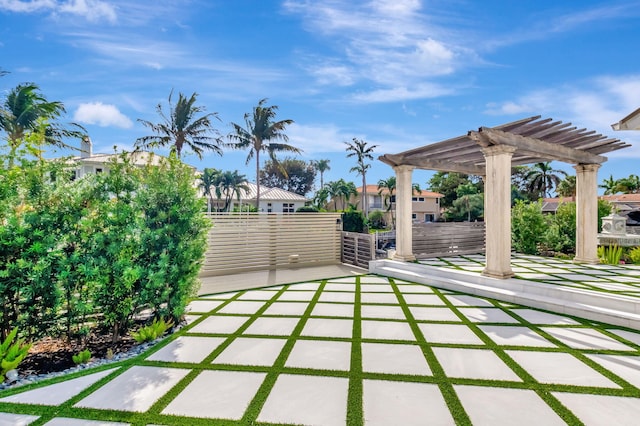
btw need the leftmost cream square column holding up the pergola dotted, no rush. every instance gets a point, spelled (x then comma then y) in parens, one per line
(404, 223)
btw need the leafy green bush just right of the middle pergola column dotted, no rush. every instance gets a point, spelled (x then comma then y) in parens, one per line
(528, 226)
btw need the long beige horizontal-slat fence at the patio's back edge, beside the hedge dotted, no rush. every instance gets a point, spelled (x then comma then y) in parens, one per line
(240, 242)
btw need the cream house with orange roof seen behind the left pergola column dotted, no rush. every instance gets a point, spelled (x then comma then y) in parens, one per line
(424, 208)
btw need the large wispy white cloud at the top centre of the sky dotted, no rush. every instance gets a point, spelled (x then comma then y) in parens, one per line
(390, 43)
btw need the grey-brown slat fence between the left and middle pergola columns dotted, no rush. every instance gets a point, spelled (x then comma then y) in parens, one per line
(448, 238)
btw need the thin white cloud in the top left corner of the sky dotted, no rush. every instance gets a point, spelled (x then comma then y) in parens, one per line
(92, 10)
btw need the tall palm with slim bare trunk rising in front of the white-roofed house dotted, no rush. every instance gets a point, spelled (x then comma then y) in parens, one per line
(260, 130)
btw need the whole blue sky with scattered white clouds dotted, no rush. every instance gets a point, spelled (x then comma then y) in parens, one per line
(397, 73)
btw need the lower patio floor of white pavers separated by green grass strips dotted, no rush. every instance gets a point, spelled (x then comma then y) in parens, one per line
(356, 350)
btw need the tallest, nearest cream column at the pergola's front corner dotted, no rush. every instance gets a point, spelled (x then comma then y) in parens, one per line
(497, 210)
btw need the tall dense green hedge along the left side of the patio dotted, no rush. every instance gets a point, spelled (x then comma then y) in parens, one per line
(85, 256)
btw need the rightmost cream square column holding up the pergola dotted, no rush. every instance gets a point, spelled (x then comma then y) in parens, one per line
(586, 213)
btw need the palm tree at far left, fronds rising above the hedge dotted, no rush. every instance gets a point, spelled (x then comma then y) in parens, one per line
(25, 110)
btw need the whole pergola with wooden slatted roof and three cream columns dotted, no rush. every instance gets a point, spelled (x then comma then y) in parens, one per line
(491, 153)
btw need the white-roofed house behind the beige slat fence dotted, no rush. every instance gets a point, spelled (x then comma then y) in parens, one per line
(272, 200)
